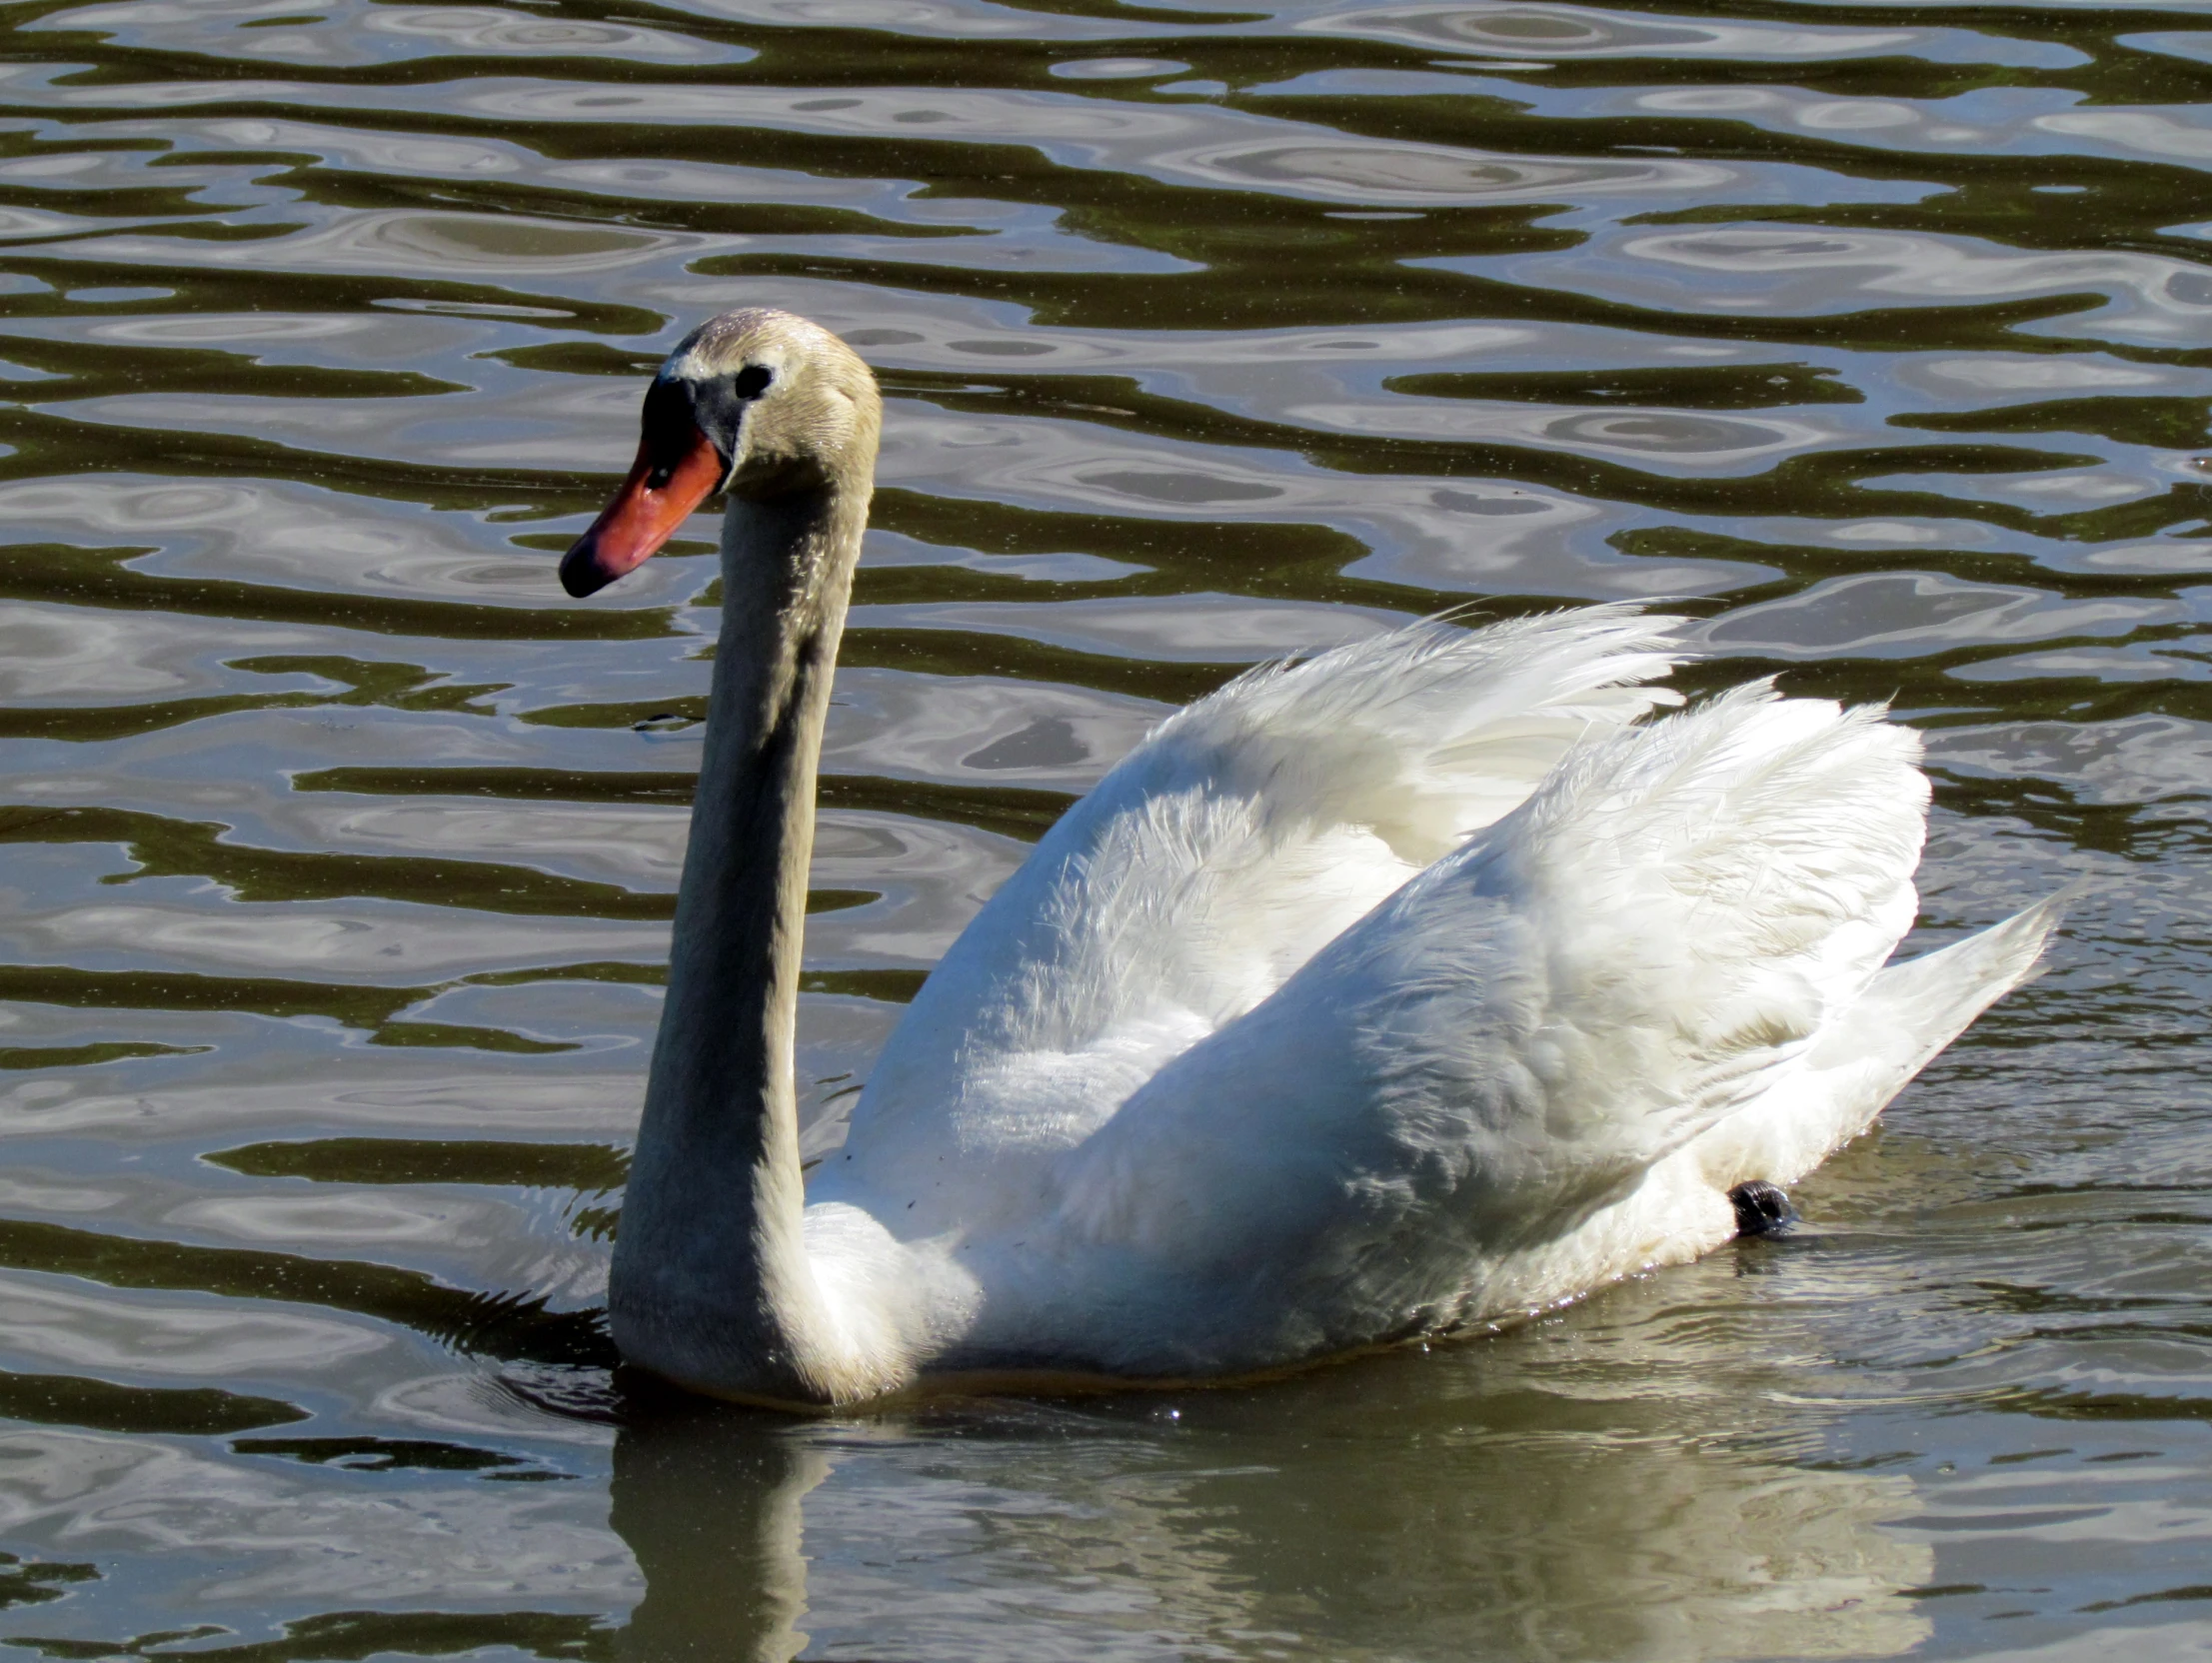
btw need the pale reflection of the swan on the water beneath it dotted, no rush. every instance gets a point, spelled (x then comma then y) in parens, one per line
(1627, 1483)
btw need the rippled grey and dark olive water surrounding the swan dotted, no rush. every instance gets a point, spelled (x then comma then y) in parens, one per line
(342, 844)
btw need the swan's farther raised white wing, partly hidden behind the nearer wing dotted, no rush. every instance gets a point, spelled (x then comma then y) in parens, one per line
(1240, 839)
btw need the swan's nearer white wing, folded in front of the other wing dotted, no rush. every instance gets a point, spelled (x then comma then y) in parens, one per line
(1510, 1043)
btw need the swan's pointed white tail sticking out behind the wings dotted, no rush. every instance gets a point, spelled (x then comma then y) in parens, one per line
(1890, 1034)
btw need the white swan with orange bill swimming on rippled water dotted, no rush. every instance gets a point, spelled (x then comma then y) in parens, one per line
(1395, 992)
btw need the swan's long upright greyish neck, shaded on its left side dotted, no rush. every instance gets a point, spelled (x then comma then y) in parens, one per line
(711, 1282)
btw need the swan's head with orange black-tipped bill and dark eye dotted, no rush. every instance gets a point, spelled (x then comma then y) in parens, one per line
(755, 404)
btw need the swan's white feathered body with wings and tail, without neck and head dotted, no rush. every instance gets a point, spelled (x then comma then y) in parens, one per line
(1388, 994)
